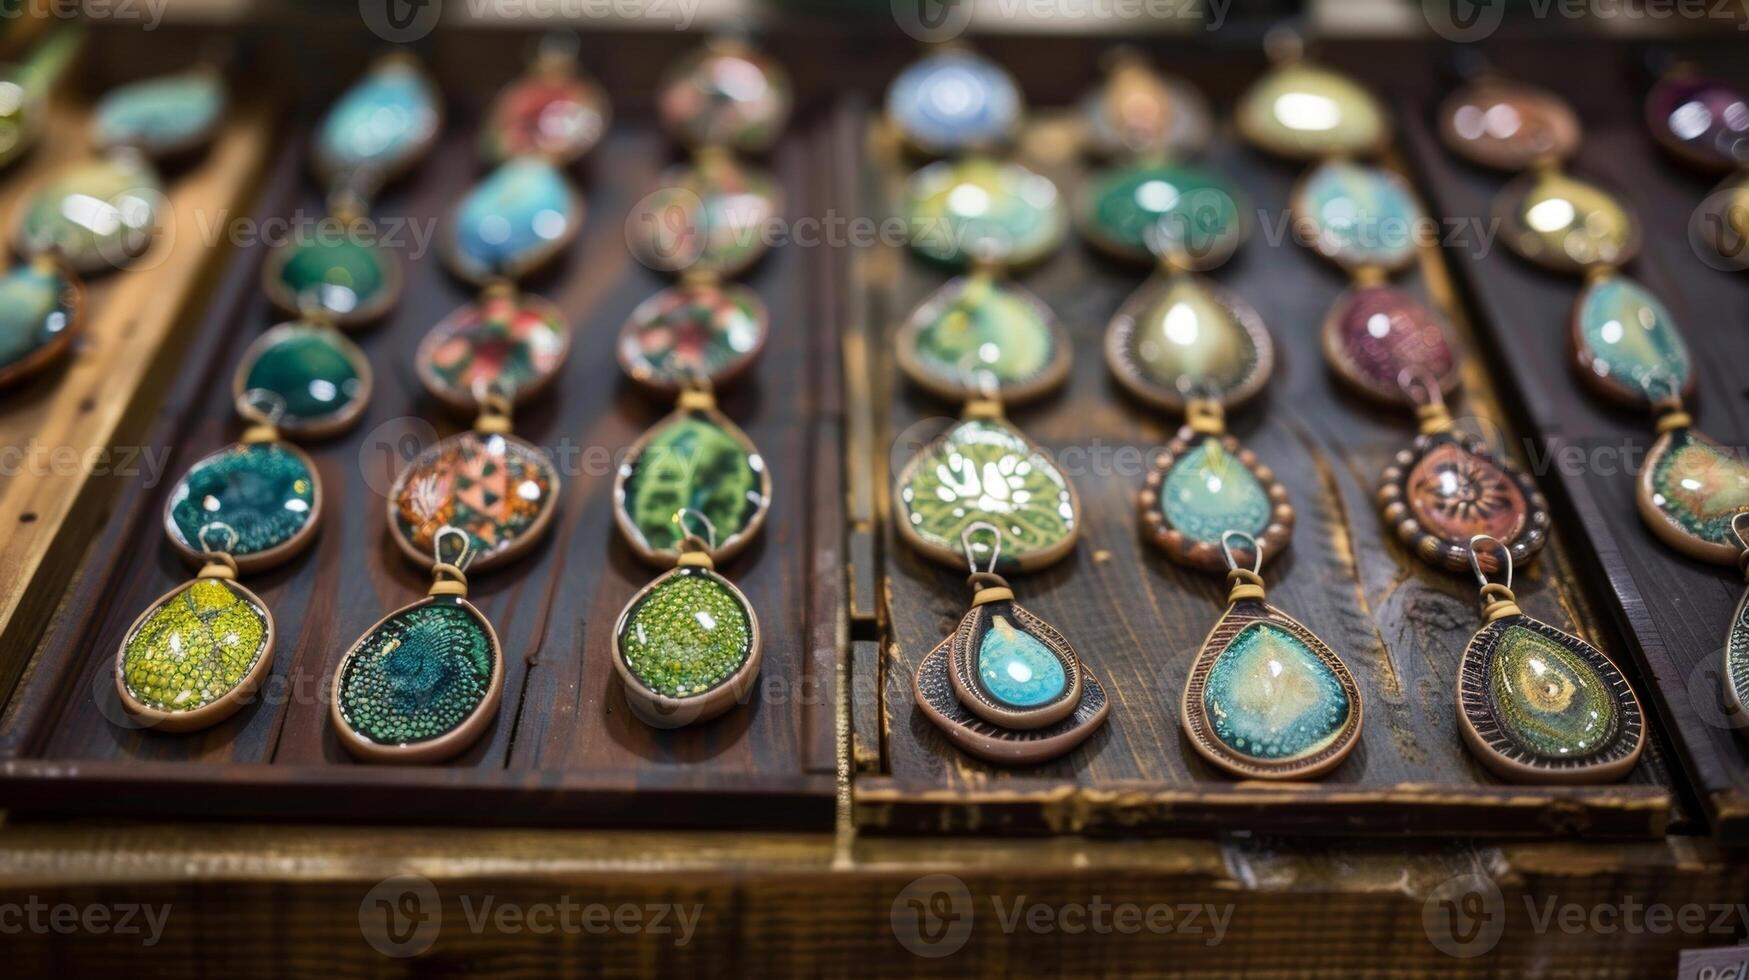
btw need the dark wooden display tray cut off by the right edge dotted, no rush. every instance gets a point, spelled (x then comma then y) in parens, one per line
(1673, 610)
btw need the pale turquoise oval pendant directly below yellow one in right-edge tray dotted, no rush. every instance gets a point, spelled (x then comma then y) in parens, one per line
(1626, 344)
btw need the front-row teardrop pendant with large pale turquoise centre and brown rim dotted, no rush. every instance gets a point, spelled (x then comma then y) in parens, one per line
(1267, 699)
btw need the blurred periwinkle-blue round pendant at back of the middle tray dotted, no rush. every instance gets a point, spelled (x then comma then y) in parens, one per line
(954, 102)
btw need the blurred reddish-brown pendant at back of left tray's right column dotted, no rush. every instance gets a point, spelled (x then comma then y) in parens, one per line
(725, 95)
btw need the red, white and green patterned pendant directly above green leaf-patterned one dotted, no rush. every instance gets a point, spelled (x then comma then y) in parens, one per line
(697, 332)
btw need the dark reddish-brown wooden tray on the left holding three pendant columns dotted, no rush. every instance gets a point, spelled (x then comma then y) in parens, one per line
(564, 746)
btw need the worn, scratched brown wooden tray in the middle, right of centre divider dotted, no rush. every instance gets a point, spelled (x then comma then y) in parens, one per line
(1138, 619)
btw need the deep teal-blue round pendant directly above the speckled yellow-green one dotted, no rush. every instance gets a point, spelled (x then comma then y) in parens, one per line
(267, 493)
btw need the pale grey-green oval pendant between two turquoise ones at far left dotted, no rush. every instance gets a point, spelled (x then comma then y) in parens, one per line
(97, 216)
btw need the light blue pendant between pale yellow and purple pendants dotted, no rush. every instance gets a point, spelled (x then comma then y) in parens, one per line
(1360, 216)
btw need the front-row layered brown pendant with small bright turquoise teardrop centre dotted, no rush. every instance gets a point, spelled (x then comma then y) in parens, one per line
(1007, 687)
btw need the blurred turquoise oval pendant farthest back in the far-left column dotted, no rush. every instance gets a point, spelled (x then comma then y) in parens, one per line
(160, 116)
